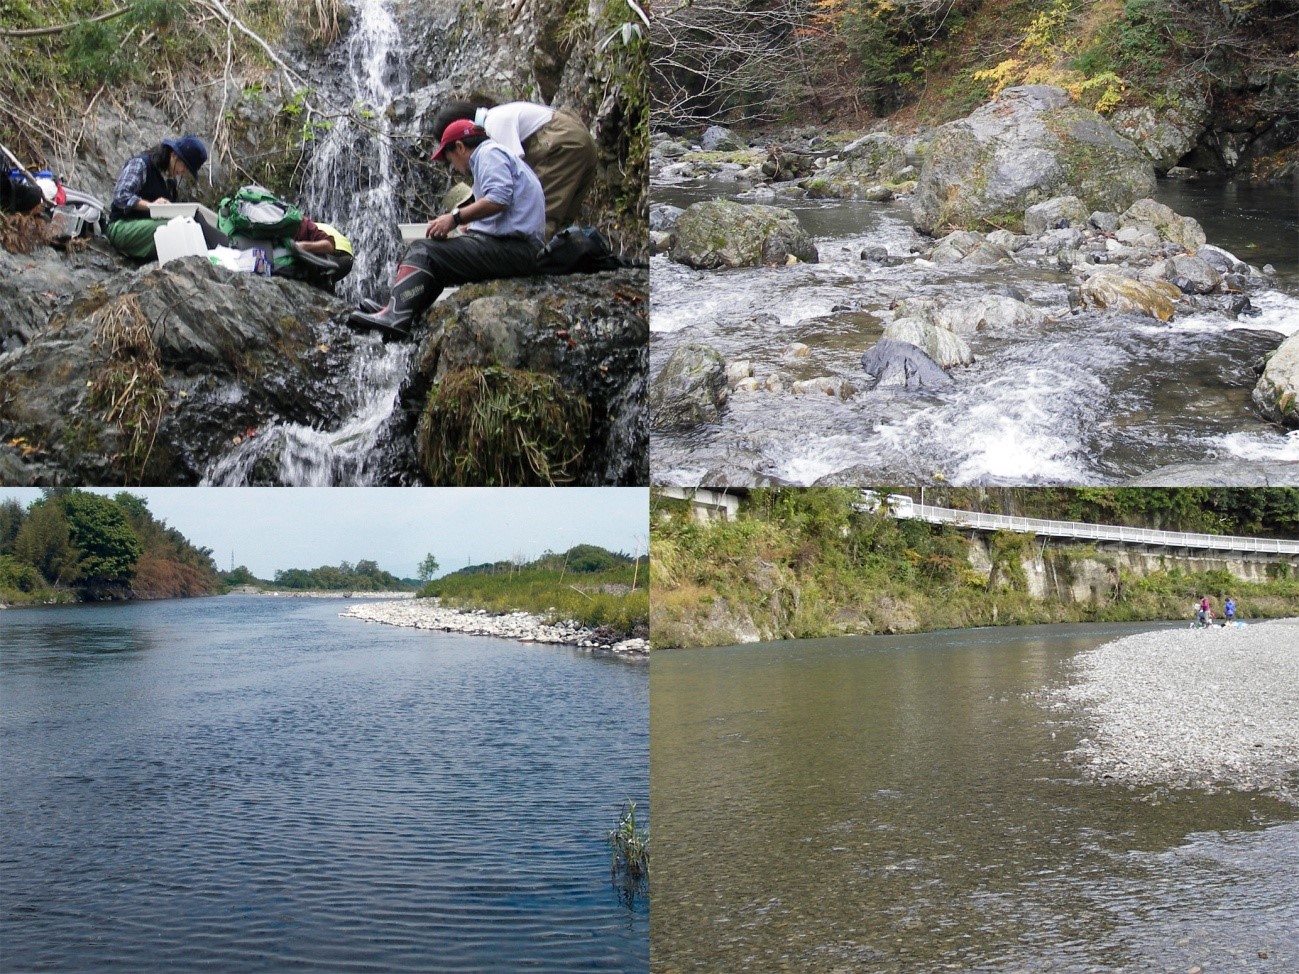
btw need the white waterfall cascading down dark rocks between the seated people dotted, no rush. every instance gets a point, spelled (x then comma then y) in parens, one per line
(350, 185)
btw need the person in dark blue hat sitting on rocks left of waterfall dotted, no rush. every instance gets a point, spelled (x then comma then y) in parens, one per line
(149, 179)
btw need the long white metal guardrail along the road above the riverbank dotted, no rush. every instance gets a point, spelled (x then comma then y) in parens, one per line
(1100, 533)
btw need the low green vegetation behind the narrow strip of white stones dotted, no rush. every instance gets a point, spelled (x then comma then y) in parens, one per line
(597, 588)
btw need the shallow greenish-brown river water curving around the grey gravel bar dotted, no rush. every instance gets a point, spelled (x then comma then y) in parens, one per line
(905, 805)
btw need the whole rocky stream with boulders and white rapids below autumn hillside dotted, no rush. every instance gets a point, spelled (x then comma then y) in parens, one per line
(1013, 299)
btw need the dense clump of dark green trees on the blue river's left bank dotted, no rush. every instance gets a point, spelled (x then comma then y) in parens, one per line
(72, 546)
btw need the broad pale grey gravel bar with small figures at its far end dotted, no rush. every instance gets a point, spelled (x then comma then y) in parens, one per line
(1200, 708)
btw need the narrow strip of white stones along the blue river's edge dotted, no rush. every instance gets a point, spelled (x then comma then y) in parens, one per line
(527, 628)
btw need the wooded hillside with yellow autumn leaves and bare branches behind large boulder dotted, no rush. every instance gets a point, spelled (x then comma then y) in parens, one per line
(842, 63)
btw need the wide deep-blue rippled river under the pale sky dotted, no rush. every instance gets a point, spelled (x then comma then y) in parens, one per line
(250, 785)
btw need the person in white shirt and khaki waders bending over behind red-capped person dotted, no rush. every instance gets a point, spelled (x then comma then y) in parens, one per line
(555, 144)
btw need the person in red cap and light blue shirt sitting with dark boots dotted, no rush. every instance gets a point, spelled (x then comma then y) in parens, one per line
(502, 236)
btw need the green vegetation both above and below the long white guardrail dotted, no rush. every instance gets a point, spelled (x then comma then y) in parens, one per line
(802, 564)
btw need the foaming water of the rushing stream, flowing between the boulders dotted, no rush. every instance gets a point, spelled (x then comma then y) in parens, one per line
(1087, 399)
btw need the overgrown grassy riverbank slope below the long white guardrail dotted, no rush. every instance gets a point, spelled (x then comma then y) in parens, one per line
(806, 564)
